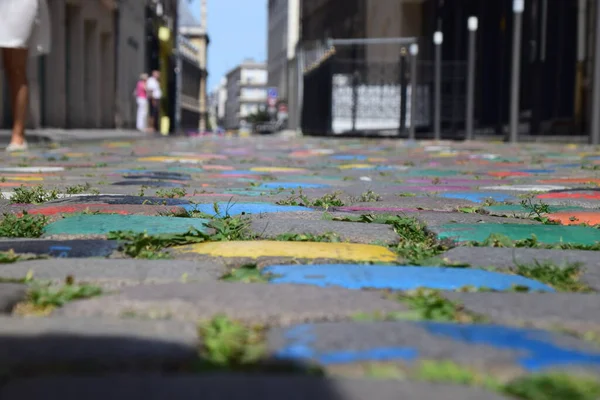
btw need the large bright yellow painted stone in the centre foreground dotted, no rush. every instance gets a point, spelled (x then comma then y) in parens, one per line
(309, 250)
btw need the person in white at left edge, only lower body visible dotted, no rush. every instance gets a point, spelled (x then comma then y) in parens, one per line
(24, 33)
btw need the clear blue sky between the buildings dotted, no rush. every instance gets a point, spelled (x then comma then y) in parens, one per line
(237, 30)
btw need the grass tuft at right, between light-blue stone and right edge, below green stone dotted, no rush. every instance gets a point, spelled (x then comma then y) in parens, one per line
(561, 278)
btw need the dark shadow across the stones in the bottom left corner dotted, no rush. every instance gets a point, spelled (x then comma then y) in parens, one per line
(78, 367)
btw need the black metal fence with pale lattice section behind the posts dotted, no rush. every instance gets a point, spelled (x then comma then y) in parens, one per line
(345, 96)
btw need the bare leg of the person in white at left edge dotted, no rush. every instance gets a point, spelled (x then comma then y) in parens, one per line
(15, 65)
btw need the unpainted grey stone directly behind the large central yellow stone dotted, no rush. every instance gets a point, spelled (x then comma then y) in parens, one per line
(348, 231)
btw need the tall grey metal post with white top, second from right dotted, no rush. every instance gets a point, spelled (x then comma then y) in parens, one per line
(518, 7)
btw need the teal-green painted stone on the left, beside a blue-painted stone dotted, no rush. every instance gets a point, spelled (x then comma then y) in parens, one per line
(102, 224)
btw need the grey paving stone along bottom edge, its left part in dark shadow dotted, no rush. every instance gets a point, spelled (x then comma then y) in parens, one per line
(234, 387)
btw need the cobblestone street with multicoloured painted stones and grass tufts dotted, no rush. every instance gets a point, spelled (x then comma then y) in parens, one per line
(347, 252)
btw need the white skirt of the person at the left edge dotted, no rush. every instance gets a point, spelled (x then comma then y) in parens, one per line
(25, 24)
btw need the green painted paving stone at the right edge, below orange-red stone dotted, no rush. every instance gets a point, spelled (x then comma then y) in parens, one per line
(544, 233)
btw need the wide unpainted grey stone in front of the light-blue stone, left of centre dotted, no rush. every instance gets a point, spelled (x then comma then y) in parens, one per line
(273, 304)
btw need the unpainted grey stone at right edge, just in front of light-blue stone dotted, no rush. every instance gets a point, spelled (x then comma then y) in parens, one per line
(574, 311)
